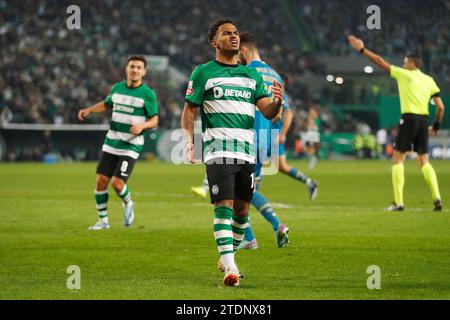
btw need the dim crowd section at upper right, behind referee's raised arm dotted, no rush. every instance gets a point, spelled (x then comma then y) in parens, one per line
(406, 26)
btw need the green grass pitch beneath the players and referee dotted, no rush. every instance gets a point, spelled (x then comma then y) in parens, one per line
(169, 253)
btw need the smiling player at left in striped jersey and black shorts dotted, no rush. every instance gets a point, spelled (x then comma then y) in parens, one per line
(134, 110)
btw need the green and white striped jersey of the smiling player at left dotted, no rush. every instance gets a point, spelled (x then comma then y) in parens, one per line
(130, 106)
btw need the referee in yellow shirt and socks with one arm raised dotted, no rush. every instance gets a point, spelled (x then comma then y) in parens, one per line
(415, 90)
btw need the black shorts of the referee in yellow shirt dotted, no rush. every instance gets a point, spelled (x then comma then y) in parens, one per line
(413, 134)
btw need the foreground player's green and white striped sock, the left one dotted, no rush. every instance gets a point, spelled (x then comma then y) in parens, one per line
(223, 232)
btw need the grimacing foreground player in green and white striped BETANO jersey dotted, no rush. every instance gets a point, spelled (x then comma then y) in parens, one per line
(227, 95)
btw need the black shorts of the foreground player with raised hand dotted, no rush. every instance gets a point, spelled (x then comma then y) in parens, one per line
(230, 181)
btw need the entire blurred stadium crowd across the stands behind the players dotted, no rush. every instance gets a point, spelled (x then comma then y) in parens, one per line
(48, 71)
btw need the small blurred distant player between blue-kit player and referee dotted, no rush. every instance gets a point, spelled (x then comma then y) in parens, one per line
(312, 137)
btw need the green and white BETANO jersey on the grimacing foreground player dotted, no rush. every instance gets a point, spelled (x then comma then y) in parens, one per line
(227, 96)
